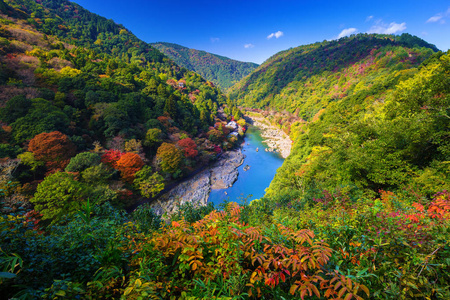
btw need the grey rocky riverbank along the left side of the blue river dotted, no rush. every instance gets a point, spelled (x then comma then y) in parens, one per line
(220, 175)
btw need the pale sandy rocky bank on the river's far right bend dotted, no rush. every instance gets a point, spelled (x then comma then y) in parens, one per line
(275, 138)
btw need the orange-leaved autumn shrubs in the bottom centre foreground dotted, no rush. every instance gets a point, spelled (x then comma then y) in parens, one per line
(220, 246)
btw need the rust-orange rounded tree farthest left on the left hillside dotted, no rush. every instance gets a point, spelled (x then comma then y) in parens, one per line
(54, 148)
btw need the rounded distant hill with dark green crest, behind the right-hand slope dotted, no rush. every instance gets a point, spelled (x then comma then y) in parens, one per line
(306, 78)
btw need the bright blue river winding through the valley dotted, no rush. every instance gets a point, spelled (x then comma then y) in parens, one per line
(263, 166)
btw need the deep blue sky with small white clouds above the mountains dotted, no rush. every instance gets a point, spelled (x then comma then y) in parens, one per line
(249, 30)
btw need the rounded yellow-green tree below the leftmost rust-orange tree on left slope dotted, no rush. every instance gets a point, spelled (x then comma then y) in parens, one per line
(58, 195)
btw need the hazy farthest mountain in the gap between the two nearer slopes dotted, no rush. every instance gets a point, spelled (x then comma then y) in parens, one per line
(222, 71)
